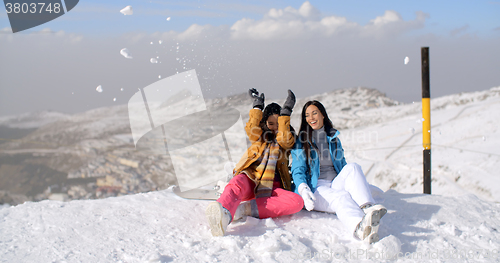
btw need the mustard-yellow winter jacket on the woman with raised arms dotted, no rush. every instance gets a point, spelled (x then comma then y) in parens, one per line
(285, 139)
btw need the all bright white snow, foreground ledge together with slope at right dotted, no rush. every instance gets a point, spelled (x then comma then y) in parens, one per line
(459, 222)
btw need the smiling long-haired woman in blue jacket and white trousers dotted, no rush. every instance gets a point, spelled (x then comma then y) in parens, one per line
(326, 182)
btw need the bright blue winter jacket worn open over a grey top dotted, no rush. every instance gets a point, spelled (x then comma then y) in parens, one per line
(300, 171)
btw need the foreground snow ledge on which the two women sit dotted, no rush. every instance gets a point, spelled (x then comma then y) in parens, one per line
(161, 227)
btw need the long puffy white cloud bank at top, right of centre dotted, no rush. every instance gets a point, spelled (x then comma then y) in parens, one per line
(305, 22)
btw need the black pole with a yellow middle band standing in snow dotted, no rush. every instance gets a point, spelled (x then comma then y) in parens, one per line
(426, 117)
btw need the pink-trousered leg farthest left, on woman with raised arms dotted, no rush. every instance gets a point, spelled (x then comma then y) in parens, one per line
(240, 188)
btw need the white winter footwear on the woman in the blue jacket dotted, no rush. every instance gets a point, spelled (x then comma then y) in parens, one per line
(367, 229)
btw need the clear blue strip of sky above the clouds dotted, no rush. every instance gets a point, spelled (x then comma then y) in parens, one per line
(481, 17)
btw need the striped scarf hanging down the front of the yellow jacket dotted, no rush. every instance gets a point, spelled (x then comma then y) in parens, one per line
(266, 168)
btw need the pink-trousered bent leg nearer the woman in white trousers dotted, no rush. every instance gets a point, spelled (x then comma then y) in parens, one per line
(281, 202)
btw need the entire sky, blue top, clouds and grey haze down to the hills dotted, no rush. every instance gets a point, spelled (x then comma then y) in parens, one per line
(310, 47)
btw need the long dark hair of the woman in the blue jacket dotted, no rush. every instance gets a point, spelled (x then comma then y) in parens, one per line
(305, 132)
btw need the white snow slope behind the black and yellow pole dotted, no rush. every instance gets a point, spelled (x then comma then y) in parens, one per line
(465, 139)
